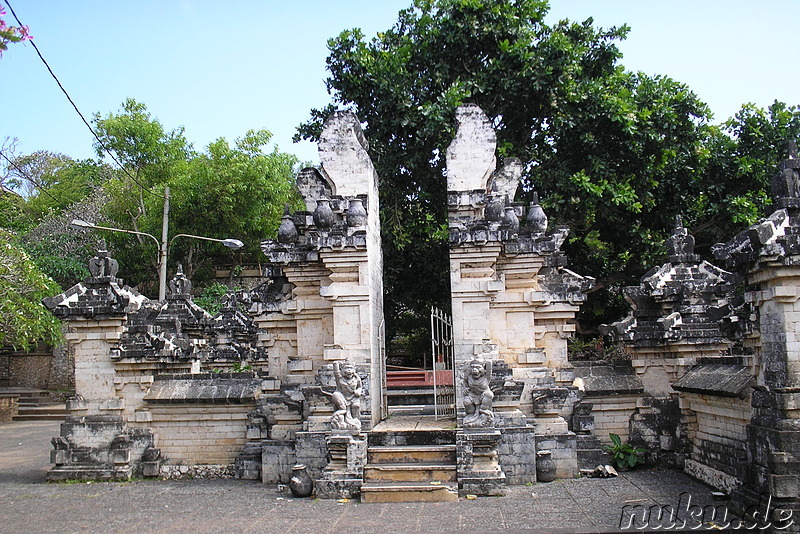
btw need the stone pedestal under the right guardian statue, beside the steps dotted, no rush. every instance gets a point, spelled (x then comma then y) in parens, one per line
(478, 469)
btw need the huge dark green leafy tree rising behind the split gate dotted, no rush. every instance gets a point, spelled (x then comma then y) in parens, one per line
(613, 153)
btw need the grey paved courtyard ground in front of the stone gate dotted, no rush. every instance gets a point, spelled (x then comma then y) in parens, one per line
(29, 504)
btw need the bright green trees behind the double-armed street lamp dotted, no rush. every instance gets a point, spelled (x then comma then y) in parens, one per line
(226, 192)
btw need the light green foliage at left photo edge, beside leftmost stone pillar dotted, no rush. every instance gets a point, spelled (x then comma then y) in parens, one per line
(24, 321)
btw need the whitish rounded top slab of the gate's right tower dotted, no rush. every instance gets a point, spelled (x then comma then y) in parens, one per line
(470, 156)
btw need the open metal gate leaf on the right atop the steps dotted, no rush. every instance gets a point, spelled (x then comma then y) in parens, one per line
(444, 392)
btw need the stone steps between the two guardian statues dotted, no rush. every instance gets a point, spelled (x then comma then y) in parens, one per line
(416, 464)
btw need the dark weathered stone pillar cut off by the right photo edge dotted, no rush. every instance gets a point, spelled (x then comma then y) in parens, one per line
(769, 254)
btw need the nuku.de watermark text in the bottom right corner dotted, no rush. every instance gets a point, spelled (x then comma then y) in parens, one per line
(688, 516)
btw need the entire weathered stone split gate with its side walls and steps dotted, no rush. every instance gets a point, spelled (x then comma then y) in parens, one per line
(710, 385)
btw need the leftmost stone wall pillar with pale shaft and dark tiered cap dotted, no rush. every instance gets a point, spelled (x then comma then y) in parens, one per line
(95, 442)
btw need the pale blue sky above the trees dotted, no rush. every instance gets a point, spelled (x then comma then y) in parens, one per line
(222, 68)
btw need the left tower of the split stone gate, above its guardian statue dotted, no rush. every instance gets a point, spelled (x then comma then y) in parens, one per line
(331, 256)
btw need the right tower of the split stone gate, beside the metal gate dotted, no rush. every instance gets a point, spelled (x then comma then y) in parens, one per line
(513, 300)
